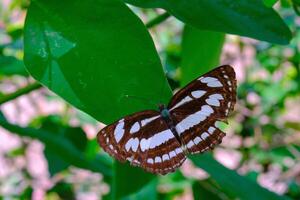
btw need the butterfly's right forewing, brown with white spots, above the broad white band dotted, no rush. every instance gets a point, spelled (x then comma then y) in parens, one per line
(219, 84)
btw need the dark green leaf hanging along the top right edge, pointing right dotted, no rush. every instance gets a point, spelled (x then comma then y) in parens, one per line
(246, 18)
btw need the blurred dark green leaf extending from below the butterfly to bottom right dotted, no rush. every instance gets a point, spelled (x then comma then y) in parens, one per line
(231, 182)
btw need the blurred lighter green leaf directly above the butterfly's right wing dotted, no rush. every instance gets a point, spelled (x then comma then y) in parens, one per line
(200, 52)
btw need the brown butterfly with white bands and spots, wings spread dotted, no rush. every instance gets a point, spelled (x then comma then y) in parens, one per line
(160, 140)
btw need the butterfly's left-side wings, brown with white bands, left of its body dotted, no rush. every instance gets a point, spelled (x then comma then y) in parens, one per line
(143, 139)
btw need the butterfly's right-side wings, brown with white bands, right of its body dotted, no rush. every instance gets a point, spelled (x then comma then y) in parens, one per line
(197, 108)
